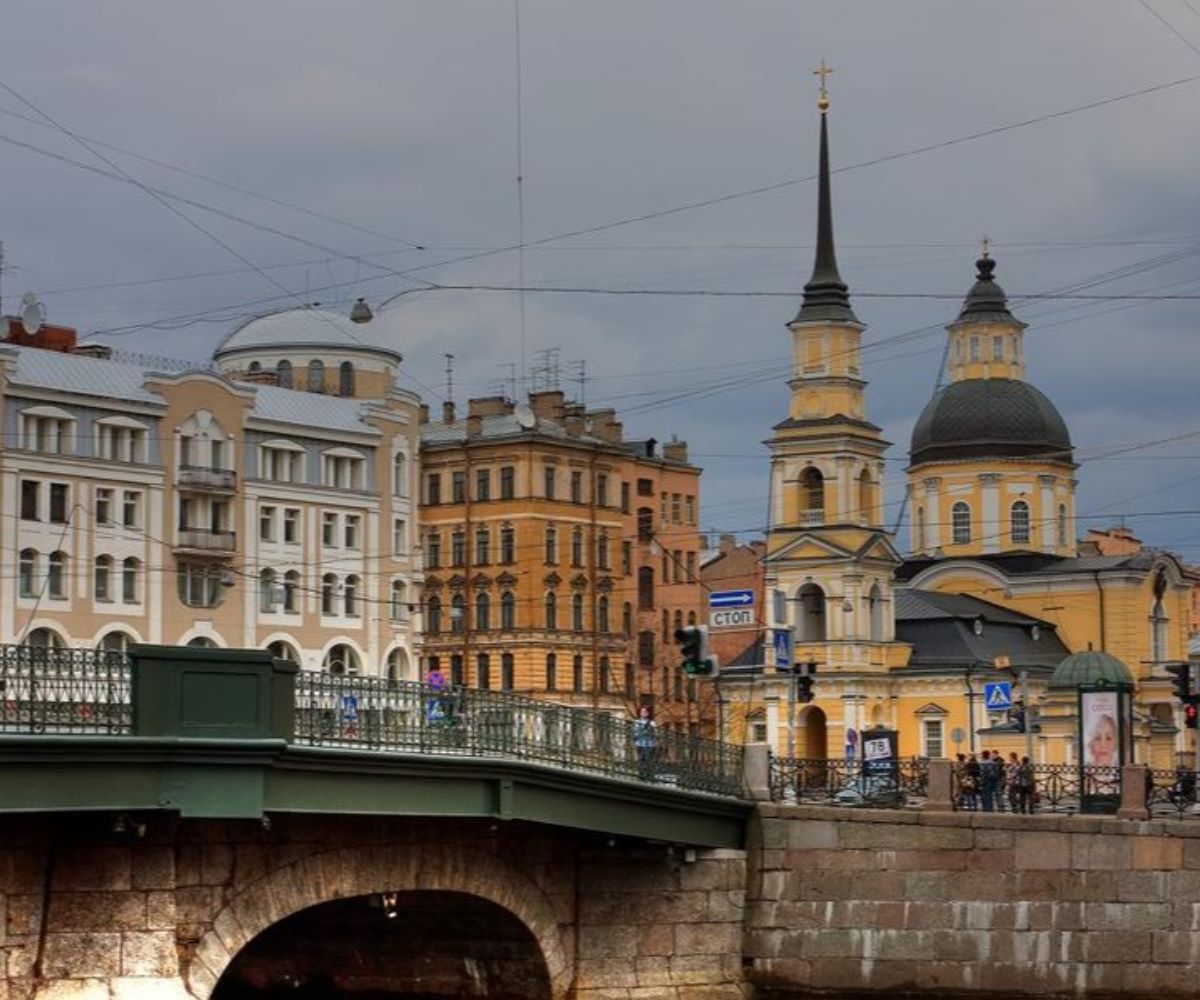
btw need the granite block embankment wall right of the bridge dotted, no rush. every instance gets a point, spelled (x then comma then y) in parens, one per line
(843, 900)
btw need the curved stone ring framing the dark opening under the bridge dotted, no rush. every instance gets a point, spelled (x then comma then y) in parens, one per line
(364, 871)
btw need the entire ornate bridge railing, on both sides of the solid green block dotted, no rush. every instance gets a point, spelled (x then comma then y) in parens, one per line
(86, 692)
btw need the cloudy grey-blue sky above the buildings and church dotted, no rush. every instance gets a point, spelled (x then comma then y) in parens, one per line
(238, 158)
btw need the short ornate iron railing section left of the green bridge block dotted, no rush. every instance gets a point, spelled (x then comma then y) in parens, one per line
(65, 692)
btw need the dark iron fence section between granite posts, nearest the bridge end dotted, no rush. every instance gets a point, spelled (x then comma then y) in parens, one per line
(844, 782)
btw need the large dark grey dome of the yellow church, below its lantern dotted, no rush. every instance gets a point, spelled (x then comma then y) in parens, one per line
(989, 418)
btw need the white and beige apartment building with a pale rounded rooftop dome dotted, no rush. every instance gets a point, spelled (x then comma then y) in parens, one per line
(265, 502)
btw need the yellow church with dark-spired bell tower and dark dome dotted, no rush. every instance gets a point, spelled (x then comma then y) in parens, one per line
(997, 586)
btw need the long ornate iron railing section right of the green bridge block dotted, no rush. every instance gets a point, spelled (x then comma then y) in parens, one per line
(409, 717)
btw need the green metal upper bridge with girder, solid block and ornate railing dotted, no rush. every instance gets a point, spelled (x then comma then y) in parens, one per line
(236, 734)
